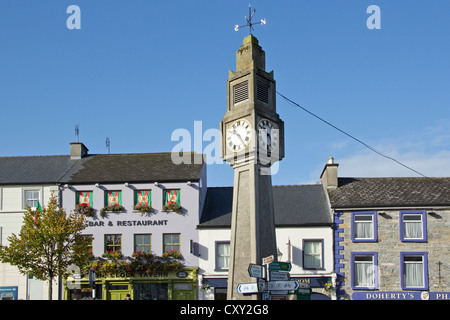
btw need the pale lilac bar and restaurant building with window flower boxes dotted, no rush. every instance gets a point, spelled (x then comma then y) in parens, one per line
(142, 211)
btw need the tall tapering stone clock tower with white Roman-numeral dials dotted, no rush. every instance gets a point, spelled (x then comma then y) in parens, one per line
(252, 140)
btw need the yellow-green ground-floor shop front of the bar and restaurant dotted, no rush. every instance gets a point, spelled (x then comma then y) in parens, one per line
(173, 285)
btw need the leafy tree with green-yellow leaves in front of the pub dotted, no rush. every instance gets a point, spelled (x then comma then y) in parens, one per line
(48, 243)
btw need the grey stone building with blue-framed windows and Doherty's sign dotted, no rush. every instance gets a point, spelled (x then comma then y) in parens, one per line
(391, 236)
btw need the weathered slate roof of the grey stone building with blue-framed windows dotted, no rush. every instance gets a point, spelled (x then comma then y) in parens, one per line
(390, 192)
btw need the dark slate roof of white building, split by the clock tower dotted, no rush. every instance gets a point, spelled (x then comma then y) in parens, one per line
(295, 205)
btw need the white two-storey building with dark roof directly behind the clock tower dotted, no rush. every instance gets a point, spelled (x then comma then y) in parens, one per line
(303, 231)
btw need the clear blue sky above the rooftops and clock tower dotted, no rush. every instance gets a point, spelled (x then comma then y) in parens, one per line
(138, 70)
